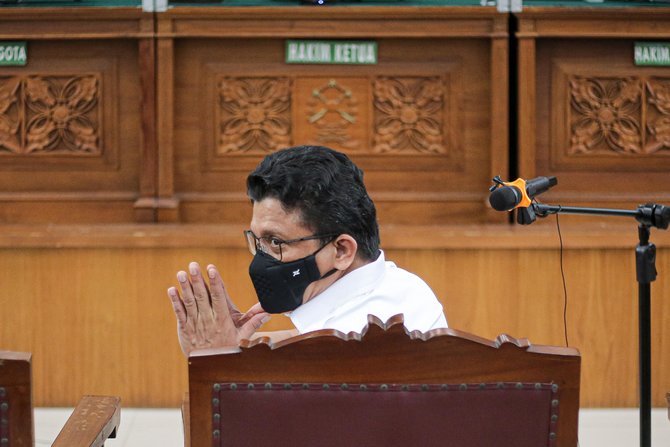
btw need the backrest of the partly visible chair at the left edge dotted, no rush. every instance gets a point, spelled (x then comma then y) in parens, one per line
(16, 399)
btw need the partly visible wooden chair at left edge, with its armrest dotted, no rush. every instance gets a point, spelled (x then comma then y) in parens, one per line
(95, 418)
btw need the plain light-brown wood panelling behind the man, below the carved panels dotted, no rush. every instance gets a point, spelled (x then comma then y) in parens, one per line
(98, 320)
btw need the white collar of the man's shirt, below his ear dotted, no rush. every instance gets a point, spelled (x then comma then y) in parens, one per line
(355, 283)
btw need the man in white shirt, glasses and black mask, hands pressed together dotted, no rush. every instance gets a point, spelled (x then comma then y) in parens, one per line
(315, 240)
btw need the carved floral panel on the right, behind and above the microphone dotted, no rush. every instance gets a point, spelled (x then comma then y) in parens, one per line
(628, 115)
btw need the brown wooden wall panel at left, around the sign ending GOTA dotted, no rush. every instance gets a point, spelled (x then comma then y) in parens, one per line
(75, 133)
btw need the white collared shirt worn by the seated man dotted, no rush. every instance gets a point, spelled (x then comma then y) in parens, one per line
(379, 288)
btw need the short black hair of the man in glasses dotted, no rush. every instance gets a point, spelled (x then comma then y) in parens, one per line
(325, 187)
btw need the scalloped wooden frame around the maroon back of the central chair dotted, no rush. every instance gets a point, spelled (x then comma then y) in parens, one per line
(383, 354)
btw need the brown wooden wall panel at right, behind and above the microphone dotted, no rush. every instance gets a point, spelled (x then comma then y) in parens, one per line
(593, 118)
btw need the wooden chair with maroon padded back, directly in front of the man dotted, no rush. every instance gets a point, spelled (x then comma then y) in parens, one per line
(384, 387)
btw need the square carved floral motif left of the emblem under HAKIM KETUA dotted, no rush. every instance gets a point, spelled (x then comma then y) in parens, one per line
(254, 115)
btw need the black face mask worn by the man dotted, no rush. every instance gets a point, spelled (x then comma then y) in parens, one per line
(280, 286)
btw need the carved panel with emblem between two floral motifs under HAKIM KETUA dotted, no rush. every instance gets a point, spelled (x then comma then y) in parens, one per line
(369, 115)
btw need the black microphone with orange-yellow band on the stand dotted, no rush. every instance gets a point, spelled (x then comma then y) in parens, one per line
(506, 196)
